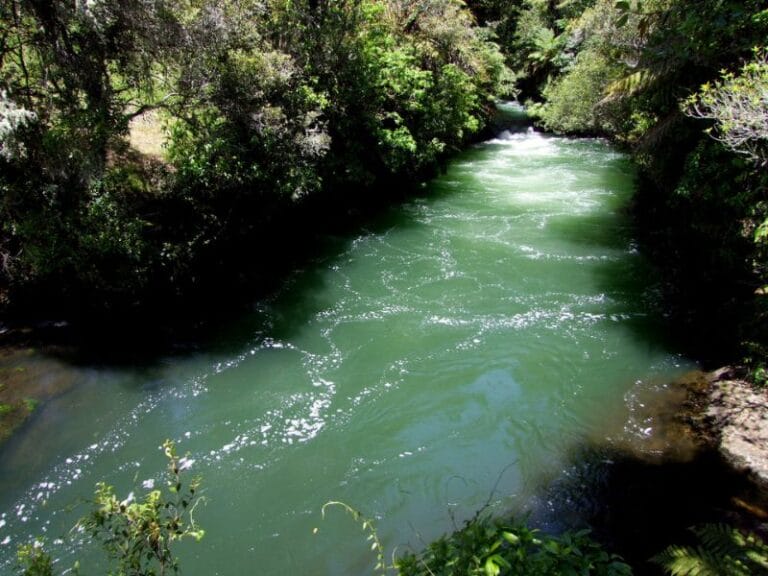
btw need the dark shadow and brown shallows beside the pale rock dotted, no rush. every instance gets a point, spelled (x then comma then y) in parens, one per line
(641, 489)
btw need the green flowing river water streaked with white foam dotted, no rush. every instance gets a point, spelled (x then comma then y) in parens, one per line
(455, 354)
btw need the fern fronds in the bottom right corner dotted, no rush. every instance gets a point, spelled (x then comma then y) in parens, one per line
(722, 551)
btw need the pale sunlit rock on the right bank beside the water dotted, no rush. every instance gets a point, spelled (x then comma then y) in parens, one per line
(739, 413)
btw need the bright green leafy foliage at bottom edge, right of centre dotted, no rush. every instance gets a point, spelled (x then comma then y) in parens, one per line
(486, 548)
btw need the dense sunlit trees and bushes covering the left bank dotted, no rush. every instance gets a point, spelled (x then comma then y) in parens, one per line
(275, 116)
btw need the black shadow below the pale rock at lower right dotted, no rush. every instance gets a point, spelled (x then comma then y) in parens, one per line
(637, 503)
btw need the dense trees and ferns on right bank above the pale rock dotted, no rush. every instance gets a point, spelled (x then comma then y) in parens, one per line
(683, 85)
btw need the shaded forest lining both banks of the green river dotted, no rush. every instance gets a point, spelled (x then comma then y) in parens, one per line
(163, 160)
